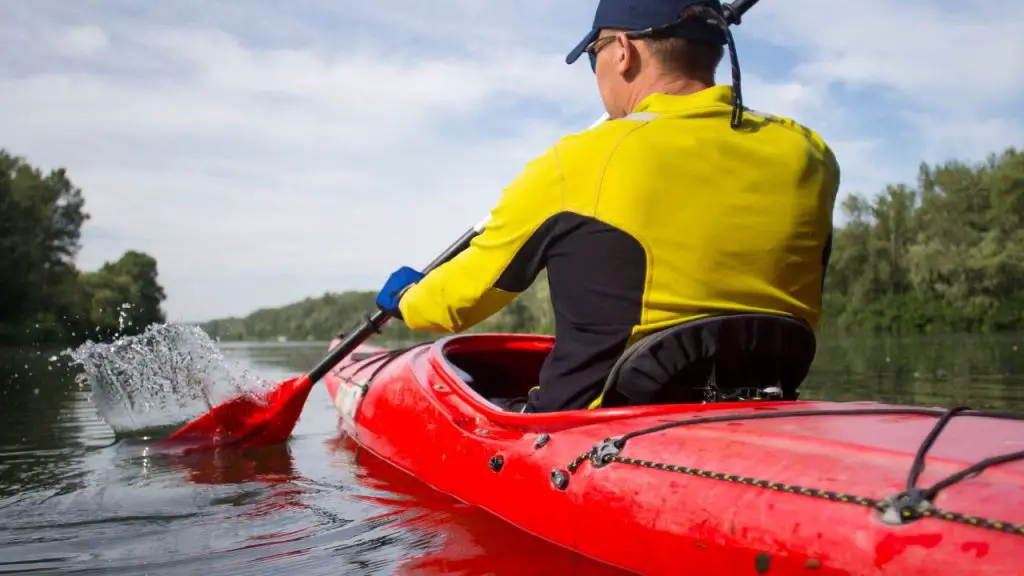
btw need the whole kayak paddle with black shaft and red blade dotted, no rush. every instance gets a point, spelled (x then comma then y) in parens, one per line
(252, 421)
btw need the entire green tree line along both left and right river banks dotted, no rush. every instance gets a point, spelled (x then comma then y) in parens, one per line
(944, 256)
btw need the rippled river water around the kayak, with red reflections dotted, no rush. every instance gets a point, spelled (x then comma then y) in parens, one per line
(77, 499)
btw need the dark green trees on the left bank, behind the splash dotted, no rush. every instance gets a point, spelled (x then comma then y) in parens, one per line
(45, 299)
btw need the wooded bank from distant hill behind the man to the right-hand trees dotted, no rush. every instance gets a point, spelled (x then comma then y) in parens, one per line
(946, 256)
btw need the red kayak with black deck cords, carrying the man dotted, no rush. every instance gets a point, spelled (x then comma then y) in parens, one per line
(749, 487)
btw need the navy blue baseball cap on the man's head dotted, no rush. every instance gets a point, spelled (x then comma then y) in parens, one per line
(642, 15)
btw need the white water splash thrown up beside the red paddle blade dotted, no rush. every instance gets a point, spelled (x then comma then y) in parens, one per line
(162, 378)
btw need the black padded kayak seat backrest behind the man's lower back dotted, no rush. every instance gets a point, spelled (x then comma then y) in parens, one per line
(715, 359)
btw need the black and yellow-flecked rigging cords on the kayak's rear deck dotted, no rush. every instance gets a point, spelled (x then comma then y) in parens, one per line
(914, 504)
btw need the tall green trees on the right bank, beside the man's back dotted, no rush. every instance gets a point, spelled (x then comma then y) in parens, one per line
(946, 257)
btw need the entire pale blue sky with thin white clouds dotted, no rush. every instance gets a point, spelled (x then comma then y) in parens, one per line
(265, 152)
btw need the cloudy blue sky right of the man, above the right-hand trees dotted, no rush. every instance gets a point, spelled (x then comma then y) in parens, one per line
(929, 81)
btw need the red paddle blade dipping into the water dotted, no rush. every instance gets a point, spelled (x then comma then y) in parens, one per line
(248, 421)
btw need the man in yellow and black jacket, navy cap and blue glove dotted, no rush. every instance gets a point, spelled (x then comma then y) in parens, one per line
(671, 211)
